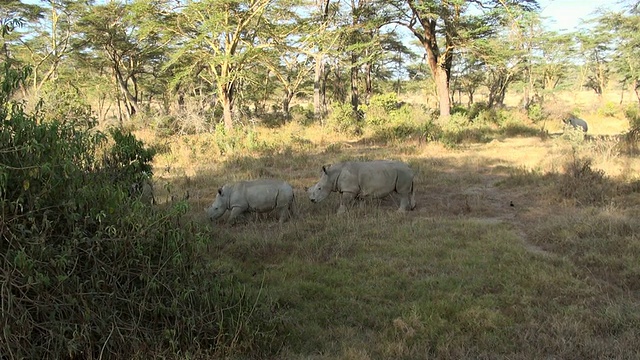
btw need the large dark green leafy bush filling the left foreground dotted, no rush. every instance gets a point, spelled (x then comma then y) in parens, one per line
(91, 272)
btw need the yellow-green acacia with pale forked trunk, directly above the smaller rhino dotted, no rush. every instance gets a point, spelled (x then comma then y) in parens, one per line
(219, 36)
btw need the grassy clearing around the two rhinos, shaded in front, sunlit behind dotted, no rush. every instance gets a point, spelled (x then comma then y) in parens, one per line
(465, 276)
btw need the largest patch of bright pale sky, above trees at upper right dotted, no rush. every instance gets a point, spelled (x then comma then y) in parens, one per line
(567, 14)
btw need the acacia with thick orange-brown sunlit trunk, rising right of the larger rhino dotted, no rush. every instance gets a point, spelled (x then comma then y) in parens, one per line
(443, 26)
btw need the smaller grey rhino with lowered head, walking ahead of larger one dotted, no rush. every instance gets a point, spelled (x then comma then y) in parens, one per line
(262, 195)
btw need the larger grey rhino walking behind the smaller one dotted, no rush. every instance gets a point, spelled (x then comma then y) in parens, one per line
(361, 179)
